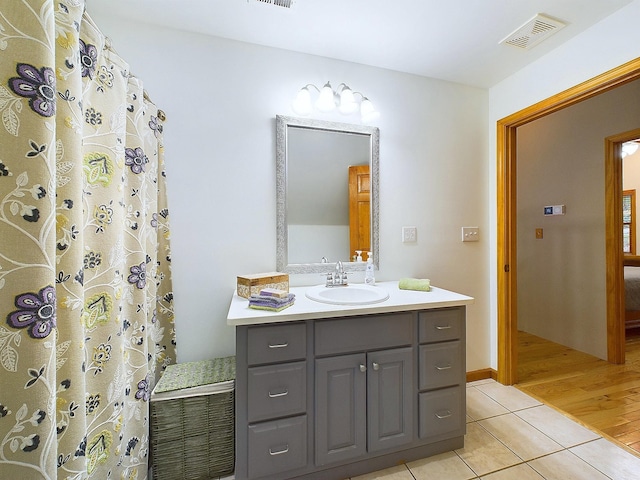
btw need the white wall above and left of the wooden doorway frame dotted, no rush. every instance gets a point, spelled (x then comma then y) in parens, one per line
(608, 44)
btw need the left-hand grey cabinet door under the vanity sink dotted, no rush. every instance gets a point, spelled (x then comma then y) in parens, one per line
(340, 408)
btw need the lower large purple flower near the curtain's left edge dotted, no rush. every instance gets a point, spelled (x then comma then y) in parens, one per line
(36, 311)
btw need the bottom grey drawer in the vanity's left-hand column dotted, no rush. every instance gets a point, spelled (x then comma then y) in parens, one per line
(277, 446)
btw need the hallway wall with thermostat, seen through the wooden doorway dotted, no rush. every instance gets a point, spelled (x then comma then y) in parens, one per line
(562, 277)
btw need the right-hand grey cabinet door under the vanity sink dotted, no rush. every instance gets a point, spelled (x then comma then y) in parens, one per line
(390, 398)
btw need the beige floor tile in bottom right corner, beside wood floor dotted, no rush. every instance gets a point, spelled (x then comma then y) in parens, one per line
(609, 459)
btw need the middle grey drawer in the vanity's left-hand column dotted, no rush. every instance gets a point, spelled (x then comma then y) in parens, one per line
(277, 391)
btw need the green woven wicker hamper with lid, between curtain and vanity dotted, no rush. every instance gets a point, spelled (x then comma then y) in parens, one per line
(192, 421)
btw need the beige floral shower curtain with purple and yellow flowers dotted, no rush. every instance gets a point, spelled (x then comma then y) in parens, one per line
(86, 310)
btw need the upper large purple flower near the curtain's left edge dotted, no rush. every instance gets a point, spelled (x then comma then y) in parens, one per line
(39, 86)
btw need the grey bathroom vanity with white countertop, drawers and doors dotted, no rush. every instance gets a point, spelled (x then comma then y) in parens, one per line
(328, 391)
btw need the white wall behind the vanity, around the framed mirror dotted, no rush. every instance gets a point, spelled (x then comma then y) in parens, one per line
(221, 98)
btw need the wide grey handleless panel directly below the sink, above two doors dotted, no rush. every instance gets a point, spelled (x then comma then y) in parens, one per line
(358, 334)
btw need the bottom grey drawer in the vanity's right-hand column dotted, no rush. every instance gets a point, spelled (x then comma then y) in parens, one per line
(442, 414)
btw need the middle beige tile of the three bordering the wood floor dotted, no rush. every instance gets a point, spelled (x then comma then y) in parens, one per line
(557, 426)
